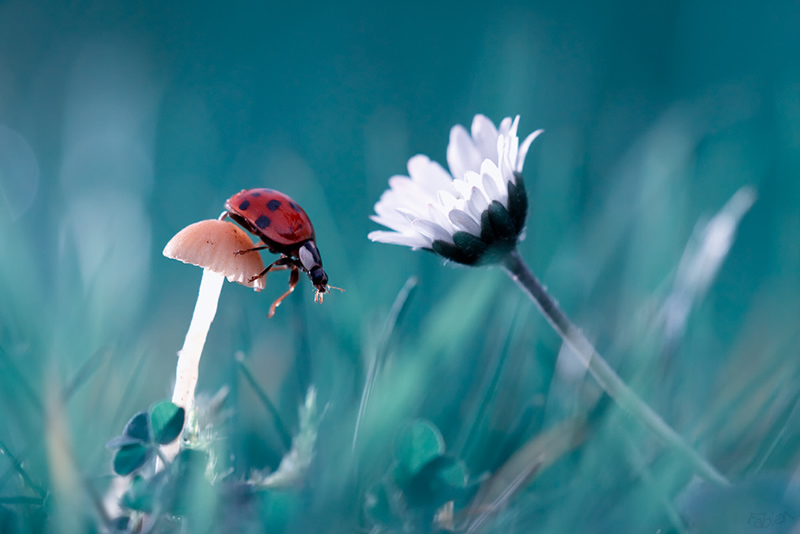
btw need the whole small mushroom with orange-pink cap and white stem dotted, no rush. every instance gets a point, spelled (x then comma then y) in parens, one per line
(213, 245)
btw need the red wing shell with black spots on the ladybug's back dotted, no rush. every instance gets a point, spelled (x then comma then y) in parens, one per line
(274, 217)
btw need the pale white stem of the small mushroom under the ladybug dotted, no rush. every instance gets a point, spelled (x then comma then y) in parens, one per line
(189, 356)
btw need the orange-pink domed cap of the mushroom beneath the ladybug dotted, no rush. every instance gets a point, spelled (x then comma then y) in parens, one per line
(212, 245)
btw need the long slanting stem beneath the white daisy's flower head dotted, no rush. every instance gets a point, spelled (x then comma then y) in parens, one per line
(612, 384)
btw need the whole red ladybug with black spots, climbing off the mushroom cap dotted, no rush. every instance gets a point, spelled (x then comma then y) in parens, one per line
(285, 229)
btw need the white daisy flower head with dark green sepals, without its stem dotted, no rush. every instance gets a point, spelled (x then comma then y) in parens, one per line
(470, 215)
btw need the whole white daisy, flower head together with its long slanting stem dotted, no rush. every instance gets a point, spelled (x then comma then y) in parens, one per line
(475, 216)
